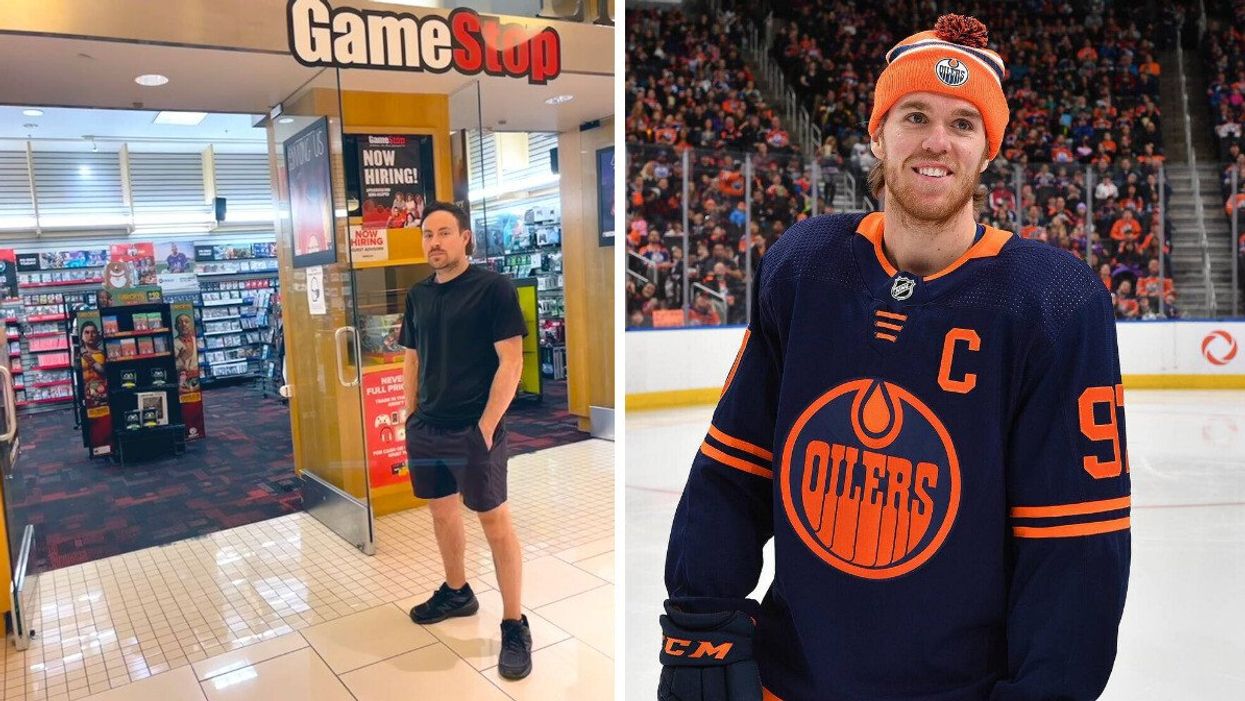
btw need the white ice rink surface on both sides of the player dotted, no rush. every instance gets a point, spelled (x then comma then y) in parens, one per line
(1183, 634)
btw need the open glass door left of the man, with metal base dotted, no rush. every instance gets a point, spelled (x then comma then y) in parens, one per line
(319, 307)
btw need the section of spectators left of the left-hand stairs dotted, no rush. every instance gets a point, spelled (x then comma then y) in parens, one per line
(689, 90)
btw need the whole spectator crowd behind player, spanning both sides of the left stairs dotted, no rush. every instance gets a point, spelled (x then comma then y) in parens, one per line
(1084, 92)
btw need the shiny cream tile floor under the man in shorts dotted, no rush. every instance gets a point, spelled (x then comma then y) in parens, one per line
(287, 611)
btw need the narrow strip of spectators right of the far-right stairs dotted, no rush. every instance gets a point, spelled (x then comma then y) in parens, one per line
(1226, 55)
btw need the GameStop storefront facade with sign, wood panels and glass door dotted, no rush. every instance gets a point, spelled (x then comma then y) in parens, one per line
(373, 110)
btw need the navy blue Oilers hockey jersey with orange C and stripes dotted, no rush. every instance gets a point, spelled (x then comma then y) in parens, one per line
(941, 463)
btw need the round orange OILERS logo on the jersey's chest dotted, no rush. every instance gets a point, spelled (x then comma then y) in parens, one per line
(871, 480)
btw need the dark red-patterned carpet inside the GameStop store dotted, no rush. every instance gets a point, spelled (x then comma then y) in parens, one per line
(243, 473)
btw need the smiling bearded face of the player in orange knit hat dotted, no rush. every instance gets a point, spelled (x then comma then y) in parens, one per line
(934, 153)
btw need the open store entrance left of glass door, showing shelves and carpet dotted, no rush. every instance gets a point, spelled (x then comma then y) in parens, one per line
(143, 311)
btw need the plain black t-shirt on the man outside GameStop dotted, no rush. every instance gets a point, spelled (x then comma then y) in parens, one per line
(454, 327)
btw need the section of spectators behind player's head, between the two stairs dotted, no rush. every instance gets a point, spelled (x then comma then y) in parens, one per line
(1083, 85)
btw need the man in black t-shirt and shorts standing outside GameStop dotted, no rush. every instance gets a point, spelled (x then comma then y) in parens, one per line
(464, 333)
